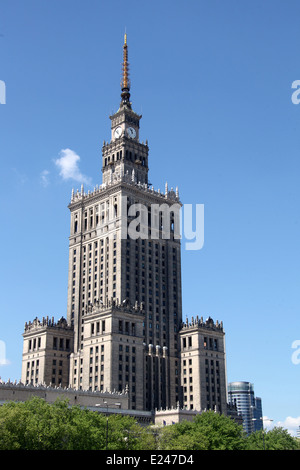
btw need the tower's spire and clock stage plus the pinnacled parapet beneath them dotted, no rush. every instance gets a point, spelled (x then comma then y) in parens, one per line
(124, 157)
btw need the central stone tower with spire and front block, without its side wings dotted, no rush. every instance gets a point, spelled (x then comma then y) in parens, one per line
(119, 260)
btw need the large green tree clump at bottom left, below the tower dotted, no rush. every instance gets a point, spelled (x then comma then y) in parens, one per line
(38, 425)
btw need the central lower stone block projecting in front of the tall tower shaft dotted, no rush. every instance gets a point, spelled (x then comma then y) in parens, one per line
(111, 356)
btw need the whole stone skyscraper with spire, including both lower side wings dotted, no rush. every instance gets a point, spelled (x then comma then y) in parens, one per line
(124, 326)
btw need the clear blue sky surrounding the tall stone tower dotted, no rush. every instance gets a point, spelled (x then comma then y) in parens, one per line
(212, 80)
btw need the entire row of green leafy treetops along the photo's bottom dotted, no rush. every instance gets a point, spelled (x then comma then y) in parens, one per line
(38, 425)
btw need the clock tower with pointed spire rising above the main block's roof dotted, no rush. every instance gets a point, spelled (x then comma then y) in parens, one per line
(125, 154)
